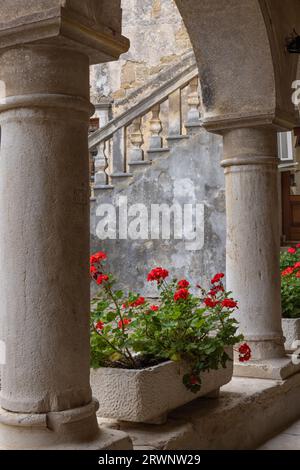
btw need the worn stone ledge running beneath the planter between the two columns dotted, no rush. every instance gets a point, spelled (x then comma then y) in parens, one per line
(247, 414)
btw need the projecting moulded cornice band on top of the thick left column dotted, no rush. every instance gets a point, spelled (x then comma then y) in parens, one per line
(64, 28)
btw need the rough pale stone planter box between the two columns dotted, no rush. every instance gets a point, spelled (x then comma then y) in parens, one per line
(146, 396)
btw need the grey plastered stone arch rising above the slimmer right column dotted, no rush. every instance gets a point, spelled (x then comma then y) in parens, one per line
(245, 70)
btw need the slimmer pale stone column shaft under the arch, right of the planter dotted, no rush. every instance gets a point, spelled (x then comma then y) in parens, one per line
(253, 274)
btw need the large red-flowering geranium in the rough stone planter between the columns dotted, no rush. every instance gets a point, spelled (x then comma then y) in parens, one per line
(129, 332)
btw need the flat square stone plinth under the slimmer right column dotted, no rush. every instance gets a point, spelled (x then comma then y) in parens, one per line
(274, 369)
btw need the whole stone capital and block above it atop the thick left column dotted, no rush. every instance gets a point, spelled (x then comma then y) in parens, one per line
(65, 23)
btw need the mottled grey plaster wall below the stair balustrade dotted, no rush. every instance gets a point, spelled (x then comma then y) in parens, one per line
(190, 174)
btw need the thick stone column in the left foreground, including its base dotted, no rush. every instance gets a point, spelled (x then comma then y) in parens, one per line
(45, 395)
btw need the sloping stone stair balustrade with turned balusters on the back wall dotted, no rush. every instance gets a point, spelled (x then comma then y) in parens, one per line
(148, 130)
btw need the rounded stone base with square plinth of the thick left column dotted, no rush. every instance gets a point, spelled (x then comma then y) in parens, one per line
(75, 429)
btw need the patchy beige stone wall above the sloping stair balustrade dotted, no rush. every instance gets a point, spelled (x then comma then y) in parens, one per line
(158, 39)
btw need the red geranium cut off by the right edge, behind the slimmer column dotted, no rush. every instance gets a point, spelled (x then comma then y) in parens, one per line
(290, 282)
